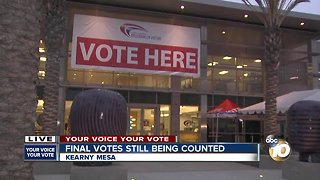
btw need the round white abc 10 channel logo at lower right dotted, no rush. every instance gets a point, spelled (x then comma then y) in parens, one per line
(279, 149)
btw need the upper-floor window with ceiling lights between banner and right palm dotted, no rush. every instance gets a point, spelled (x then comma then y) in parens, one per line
(234, 74)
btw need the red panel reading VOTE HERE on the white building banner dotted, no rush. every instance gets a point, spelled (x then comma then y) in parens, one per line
(106, 53)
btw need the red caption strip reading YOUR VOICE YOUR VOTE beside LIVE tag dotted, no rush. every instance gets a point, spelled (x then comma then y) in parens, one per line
(131, 139)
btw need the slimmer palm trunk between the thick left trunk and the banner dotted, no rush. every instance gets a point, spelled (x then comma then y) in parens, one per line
(54, 27)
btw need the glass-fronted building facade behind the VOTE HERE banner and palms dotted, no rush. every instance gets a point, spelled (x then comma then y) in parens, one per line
(231, 67)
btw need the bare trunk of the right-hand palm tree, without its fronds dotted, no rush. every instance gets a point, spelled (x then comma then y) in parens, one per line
(272, 61)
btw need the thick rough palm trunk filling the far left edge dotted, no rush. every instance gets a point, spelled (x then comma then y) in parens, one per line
(19, 43)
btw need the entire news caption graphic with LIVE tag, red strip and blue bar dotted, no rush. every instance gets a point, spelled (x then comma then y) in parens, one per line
(133, 148)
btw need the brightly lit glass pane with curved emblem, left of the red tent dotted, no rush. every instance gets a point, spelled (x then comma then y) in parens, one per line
(189, 124)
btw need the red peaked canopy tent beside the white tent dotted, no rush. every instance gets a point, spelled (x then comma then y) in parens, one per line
(227, 109)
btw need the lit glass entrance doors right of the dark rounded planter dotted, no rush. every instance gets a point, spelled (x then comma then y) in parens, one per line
(143, 120)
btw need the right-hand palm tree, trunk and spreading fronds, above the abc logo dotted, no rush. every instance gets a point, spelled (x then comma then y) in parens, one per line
(272, 13)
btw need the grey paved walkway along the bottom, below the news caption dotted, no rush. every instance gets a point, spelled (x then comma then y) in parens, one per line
(177, 171)
